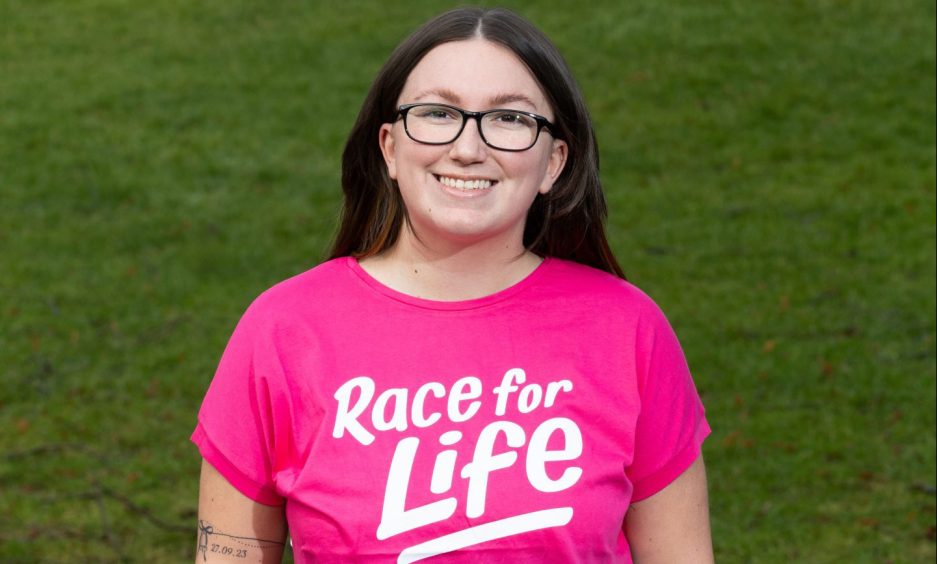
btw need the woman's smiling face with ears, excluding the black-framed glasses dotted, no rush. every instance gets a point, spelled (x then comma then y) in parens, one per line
(474, 75)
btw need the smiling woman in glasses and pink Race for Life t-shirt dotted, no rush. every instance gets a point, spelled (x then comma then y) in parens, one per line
(469, 378)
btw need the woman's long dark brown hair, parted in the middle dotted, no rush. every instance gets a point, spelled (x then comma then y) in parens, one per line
(567, 222)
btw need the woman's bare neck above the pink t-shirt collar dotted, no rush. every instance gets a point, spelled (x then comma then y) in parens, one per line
(450, 272)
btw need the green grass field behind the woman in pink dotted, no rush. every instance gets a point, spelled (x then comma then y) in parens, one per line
(770, 168)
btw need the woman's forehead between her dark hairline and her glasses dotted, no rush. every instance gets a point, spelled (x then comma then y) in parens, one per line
(474, 74)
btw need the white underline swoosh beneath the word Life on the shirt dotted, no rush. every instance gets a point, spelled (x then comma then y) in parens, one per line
(489, 531)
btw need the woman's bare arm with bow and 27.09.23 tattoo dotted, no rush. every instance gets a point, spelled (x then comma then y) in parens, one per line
(235, 528)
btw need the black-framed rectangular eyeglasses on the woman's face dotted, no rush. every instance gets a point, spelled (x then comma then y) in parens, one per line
(504, 130)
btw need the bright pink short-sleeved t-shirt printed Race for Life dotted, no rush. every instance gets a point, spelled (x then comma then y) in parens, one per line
(517, 427)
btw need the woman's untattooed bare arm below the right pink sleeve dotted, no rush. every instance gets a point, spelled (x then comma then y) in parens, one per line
(673, 524)
